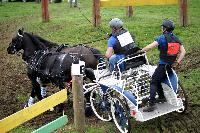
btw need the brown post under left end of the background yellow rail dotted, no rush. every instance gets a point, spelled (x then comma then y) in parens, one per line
(96, 13)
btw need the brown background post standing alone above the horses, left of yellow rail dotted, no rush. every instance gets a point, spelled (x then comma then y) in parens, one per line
(45, 12)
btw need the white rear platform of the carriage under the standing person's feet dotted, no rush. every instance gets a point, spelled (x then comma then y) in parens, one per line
(161, 109)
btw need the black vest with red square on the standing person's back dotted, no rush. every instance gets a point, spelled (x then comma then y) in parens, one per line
(169, 52)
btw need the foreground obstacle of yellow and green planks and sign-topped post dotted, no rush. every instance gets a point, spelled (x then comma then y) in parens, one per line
(28, 113)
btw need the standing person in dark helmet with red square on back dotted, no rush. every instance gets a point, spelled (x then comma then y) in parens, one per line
(169, 46)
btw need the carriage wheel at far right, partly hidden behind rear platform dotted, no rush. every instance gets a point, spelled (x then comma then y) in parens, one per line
(181, 94)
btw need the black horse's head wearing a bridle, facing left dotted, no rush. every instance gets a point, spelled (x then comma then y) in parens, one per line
(16, 43)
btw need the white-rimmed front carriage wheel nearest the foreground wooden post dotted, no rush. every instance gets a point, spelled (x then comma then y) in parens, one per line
(100, 103)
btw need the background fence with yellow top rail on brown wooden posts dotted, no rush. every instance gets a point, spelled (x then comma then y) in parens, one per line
(128, 3)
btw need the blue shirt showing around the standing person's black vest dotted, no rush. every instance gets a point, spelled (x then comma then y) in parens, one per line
(162, 42)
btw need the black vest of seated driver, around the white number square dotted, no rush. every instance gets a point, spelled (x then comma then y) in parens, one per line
(118, 49)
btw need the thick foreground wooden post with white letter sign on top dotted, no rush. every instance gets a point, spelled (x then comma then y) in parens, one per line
(78, 98)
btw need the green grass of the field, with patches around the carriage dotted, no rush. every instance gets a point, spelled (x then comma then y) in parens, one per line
(69, 25)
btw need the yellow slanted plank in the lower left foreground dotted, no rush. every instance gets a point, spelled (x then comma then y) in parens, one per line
(28, 113)
